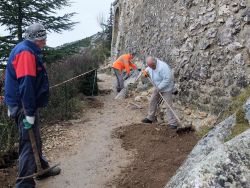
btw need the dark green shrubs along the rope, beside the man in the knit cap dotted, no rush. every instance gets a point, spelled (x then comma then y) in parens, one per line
(61, 106)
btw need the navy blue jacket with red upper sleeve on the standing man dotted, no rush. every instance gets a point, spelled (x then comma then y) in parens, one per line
(26, 80)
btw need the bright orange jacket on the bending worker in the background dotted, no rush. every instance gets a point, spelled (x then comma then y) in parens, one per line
(121, 64)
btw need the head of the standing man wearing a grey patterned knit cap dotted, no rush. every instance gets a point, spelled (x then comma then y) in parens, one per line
(37, 34)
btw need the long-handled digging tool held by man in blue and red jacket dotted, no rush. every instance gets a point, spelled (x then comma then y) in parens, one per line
(40, 170)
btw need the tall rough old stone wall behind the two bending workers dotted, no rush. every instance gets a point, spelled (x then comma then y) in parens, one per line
(206, 42)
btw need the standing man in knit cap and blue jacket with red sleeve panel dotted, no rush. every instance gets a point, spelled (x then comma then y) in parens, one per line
(26, 90)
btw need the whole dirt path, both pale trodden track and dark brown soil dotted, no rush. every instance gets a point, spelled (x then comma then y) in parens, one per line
(109, 147)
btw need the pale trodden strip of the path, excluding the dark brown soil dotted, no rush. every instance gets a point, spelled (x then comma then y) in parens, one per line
(96, 157)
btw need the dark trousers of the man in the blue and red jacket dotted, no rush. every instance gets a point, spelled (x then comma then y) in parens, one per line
(27, 165)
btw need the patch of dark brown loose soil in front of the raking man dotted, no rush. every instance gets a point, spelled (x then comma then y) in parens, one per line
(159, 152)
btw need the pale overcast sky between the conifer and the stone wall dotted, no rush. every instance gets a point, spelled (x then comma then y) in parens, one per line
(87, 14)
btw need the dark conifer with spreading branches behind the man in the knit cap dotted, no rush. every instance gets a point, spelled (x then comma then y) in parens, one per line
(16, 15)
